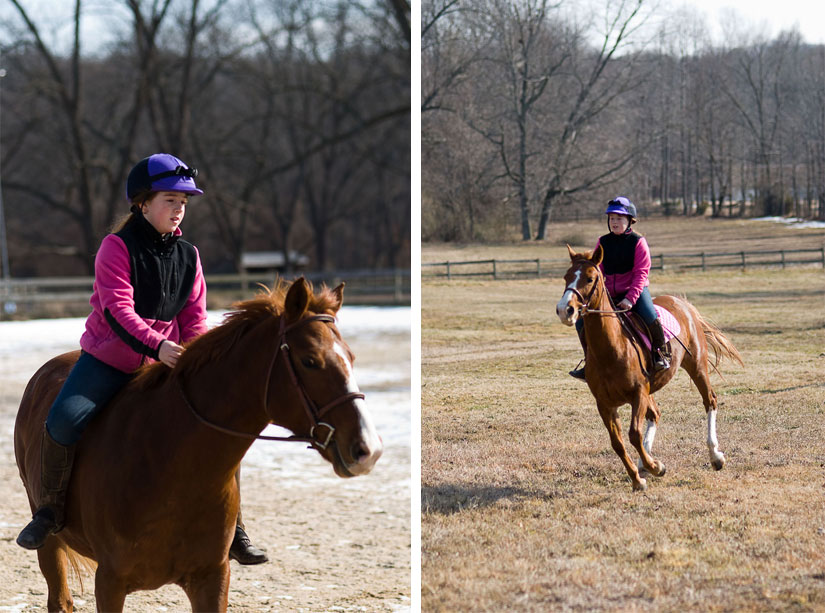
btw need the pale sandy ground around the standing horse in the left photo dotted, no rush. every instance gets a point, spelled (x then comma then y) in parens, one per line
(345, 550)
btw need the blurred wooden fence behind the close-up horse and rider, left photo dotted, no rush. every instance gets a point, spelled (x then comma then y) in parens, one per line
(50, 296)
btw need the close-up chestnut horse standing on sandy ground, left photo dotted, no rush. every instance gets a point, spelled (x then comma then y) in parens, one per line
(153, 498)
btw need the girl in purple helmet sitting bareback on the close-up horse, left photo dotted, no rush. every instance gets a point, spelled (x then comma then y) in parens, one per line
(149, 298)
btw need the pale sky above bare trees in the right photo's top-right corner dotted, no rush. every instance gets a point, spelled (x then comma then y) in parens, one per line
(774, 15)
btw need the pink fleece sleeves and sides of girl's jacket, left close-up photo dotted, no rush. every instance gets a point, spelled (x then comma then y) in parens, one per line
(113, 291)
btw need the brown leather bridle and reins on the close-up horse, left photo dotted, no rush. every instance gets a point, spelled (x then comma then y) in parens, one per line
(313, 412)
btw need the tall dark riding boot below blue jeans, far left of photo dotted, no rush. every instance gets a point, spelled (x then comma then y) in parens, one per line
(55, 470)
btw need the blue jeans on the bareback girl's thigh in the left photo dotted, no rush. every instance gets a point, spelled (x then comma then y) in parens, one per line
(89, 386)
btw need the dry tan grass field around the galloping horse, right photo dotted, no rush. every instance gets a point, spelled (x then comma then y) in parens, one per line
(525, 506)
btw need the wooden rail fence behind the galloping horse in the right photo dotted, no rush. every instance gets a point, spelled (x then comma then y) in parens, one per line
(510, 269)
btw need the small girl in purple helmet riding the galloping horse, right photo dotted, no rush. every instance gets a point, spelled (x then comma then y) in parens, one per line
(625, 265)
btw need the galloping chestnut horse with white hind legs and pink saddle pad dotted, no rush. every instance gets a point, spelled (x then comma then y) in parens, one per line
(613, 362)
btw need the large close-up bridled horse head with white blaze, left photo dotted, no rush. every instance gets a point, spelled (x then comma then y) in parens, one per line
(316, 384)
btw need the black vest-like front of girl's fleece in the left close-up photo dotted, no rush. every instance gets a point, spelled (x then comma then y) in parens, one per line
(163, 270)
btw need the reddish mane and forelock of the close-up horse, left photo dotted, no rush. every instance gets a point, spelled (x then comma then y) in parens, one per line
(243, 317)
